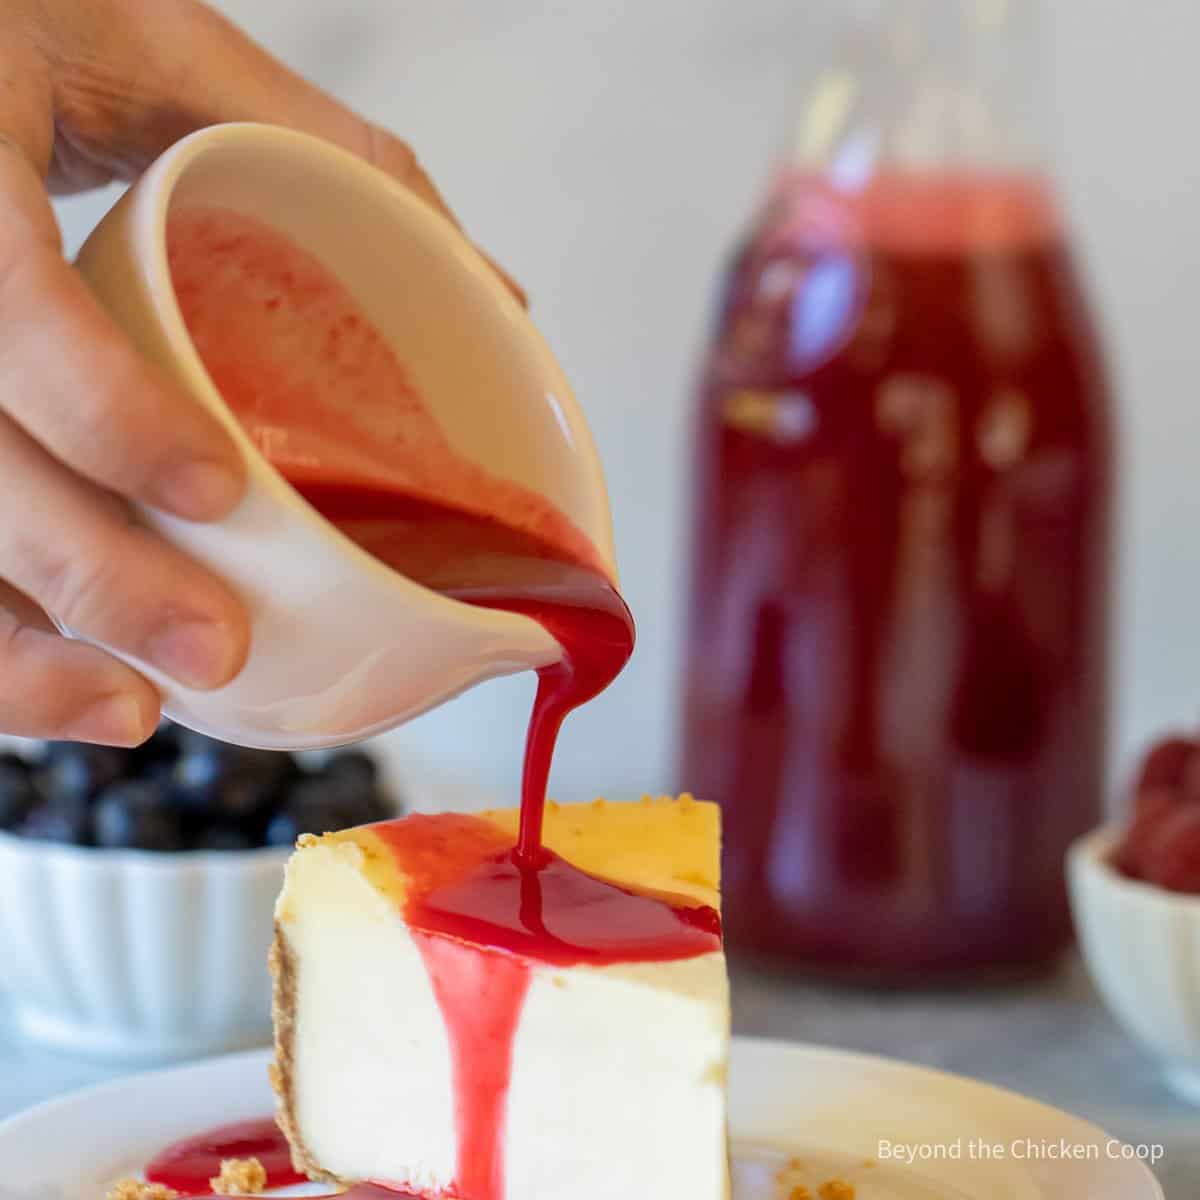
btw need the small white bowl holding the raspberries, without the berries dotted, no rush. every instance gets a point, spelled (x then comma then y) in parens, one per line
(1142, 945)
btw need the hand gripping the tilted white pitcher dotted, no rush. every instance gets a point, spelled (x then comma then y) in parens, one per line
(94, 91)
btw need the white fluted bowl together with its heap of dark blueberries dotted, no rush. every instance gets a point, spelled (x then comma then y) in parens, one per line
(137, 887)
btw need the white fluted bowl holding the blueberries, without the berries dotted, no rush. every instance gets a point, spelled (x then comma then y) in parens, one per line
(133, 955)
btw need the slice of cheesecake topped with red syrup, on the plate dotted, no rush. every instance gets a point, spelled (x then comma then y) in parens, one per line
(459, 1024)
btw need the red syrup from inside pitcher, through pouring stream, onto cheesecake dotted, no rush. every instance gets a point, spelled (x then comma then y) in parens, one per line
(327, 401)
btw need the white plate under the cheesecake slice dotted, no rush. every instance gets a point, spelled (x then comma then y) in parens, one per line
(830, 1111)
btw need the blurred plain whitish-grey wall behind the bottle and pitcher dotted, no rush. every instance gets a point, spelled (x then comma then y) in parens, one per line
(608, 153)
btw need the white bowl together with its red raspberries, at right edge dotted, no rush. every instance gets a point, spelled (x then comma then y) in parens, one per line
(1136, 897)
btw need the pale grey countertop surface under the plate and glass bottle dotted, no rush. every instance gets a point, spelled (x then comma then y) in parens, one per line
(1052, 1041)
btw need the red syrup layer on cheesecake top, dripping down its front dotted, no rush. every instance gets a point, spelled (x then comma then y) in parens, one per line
(484, 917)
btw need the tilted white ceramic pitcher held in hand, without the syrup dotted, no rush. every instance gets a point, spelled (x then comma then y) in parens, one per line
(344, 647)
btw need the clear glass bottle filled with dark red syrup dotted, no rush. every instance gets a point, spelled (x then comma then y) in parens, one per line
(897, 644)
